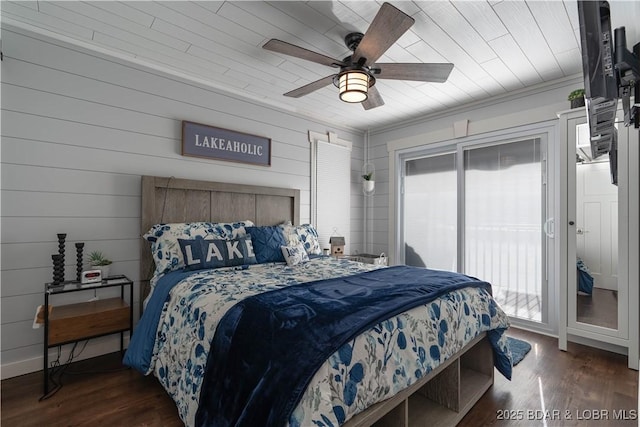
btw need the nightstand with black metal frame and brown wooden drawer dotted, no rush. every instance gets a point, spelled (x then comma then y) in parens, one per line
(76, 322)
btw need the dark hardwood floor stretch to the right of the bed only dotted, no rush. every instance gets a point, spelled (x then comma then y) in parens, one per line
(574, 386)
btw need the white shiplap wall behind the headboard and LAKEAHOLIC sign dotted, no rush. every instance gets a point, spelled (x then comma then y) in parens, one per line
(78, 130)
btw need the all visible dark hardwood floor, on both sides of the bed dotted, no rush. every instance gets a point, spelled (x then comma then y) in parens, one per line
(582, 383)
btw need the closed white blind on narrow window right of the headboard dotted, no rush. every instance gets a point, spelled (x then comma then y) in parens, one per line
(331, 193)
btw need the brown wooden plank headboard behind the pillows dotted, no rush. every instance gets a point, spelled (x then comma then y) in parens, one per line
(169, 199)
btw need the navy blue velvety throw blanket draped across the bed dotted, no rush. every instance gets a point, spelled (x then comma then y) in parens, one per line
(267, 347)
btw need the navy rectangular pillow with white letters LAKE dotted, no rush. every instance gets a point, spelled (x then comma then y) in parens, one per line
(201, 253)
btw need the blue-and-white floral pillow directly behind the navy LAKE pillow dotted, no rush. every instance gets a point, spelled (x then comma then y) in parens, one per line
(164, 239)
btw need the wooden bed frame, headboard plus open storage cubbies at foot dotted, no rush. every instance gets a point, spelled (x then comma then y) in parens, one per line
(442, 398)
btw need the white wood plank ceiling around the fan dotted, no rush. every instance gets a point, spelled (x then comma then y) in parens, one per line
(497, 47)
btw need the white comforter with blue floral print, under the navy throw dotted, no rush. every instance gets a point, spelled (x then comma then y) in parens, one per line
(371, 368)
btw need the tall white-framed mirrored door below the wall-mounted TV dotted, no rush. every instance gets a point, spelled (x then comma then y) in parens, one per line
(601, 239)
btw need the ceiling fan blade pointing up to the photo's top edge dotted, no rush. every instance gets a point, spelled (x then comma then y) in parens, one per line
(386, 28)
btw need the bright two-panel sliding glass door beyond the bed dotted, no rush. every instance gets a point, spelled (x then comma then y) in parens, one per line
(478, 209)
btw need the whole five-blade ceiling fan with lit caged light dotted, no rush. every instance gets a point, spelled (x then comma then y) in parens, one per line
(358, 72)
